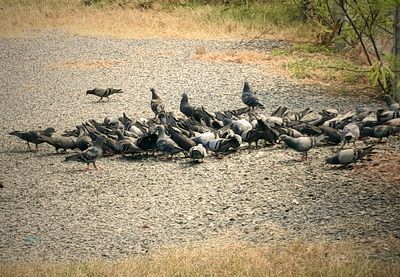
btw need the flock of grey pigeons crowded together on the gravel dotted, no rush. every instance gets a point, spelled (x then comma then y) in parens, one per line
(200, 132)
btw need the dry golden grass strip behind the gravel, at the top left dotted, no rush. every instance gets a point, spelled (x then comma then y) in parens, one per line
(114, 21)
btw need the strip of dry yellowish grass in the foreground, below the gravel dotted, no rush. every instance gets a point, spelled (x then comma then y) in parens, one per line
(226, 259)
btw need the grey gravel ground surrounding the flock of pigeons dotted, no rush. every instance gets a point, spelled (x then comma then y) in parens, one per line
(54, 210)
